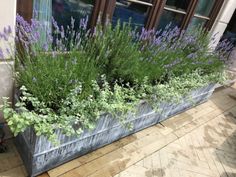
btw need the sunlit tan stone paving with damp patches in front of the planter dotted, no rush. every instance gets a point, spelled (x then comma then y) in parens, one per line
(198, 142)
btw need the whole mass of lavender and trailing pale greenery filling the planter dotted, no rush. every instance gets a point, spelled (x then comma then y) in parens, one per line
(67, 81)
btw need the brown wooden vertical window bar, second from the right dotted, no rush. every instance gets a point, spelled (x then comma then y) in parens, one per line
(189, 14)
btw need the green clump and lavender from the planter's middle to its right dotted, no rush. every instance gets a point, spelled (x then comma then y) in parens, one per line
(121, 53)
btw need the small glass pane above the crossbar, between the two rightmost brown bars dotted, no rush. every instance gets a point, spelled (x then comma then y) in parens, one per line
(204, 7)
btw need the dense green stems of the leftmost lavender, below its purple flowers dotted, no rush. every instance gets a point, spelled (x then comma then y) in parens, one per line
(50, 77)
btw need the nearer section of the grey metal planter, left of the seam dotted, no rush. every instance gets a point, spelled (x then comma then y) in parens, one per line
(45, 156)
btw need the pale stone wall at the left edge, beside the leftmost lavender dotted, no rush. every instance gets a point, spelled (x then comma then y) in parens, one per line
(7, 15)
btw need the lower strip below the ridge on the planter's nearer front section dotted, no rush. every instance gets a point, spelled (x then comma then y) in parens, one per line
(47, 160)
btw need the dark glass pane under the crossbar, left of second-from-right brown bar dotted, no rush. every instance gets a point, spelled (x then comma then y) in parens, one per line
(168, 17)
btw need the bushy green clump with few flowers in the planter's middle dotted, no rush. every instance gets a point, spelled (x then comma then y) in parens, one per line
(115, 52)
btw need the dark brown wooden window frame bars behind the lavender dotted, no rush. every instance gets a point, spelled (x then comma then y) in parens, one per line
(103, 10)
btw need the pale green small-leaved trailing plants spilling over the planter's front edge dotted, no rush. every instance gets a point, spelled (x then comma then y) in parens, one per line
(77, 114)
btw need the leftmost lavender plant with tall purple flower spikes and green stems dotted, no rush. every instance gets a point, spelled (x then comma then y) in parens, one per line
(50, 69)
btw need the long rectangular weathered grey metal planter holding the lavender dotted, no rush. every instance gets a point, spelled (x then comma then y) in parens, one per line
(40, 155)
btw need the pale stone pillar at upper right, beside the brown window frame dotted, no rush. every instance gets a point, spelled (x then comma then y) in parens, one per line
(223, 19)
